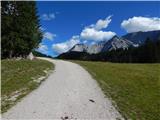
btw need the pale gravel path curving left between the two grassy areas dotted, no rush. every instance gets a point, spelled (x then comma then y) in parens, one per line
(68, 93)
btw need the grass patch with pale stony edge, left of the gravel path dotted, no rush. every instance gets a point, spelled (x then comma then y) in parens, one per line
(19, 77)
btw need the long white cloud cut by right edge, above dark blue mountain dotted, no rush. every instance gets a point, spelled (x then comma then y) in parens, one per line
(136, 24)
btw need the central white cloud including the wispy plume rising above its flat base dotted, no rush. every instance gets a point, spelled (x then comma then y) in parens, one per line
(95, 32)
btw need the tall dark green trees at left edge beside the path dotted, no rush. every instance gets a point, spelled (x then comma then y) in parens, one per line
(20, 26)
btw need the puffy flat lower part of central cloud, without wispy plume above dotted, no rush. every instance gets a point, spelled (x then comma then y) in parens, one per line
(92, 34)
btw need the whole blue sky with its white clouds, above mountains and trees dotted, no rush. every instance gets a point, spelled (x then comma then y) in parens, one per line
(65, 23)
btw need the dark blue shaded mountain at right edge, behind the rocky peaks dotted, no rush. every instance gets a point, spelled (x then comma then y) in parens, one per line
(140, 37)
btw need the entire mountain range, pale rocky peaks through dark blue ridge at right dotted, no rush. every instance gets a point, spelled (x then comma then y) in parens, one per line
(129, 40)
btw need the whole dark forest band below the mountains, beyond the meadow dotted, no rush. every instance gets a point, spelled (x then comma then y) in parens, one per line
(146, 53)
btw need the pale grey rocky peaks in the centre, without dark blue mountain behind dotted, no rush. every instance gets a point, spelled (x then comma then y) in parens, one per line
(102, 46)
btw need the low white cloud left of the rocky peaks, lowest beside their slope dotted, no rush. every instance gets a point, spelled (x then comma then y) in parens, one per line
(65, 46)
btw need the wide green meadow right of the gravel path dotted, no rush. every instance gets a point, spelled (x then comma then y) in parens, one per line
(135, 88)
